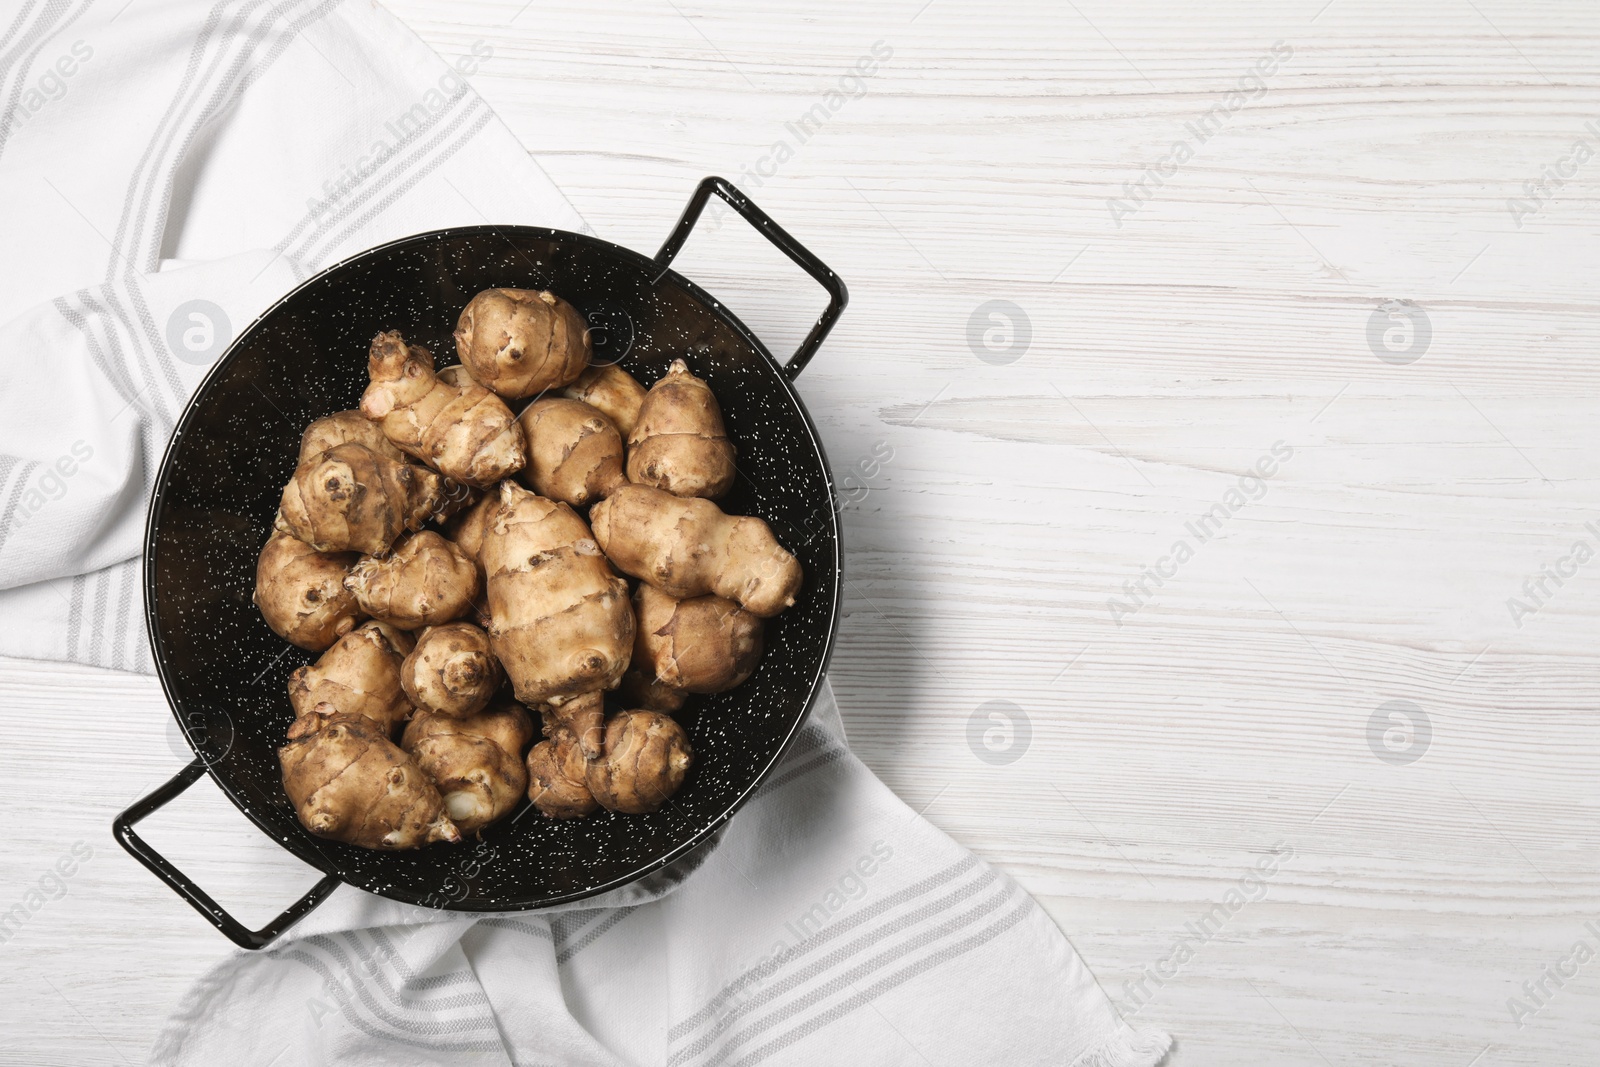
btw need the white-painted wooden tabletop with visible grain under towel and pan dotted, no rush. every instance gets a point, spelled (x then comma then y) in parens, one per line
(1326, 263)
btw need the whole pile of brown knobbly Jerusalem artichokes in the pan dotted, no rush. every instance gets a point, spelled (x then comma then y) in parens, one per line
(458, 564)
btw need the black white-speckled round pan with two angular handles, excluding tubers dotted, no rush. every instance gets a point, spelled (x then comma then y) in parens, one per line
(225, 673)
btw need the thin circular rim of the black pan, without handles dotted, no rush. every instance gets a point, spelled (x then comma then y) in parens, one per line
(305, 849)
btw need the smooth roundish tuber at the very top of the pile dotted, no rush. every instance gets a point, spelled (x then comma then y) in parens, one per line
(521, 343)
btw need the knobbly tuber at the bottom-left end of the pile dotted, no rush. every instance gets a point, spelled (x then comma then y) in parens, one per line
(350, 783)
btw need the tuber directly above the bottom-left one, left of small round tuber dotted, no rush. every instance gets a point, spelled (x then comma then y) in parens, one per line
(359, 676)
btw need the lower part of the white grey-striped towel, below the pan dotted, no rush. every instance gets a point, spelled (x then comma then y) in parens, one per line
(831, 925)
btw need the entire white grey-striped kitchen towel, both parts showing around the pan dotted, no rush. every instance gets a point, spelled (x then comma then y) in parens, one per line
(169, 170)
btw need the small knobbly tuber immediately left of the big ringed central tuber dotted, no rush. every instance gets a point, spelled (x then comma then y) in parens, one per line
(425, 581)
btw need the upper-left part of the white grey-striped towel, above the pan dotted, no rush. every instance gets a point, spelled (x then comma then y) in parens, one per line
(167, 170)
